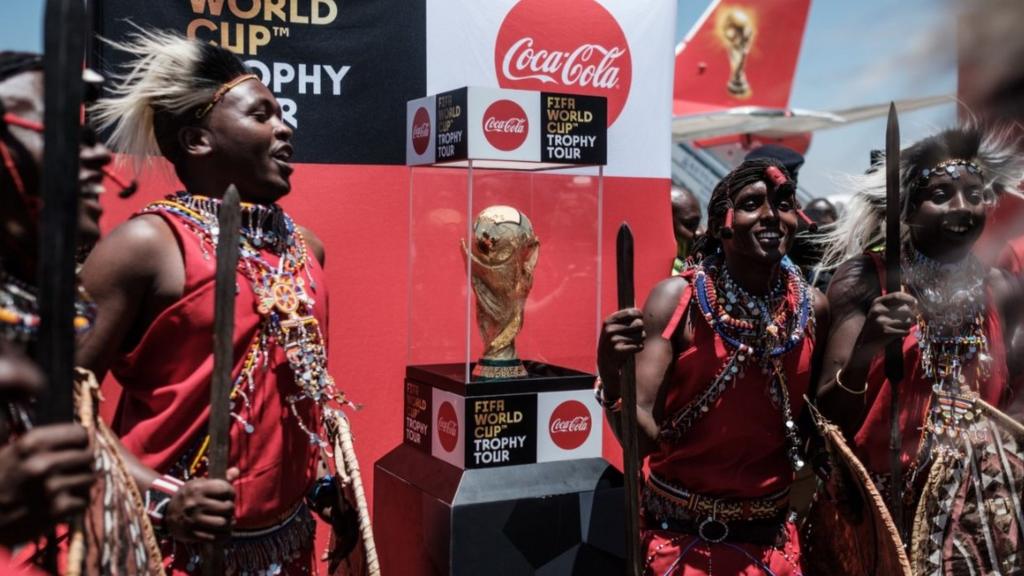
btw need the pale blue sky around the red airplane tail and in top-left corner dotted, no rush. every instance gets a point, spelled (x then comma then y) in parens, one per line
(854, 54)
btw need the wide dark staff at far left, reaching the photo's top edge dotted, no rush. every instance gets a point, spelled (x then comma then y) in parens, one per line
(64, 40)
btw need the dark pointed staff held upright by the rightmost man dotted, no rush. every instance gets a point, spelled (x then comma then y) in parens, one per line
(894, 351)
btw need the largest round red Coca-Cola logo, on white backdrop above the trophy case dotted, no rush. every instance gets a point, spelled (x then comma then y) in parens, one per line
(573, 47)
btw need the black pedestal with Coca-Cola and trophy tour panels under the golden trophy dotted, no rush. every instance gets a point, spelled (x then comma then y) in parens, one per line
(499, 477)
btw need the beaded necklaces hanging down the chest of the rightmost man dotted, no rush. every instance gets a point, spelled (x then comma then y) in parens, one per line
(951, 333)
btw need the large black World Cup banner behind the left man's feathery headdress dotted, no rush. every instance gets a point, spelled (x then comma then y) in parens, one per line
(343, 70)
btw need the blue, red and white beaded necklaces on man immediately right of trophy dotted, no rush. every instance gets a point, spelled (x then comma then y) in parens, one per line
(756, 328)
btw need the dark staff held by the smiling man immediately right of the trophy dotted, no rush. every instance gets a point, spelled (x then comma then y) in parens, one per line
(628, 432)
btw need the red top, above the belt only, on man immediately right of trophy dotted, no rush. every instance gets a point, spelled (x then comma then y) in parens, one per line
(738, 449)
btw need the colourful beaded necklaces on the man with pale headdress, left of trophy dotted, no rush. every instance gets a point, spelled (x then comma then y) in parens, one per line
(285, 307)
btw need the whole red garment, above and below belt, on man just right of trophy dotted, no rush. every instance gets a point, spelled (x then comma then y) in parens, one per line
(737, 450)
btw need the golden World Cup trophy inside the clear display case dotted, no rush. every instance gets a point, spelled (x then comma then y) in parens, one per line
(502, 258)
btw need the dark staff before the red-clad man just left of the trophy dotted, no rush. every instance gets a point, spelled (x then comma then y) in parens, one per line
(230, 223)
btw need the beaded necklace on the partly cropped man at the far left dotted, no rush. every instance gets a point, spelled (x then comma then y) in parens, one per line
(20, 311)
